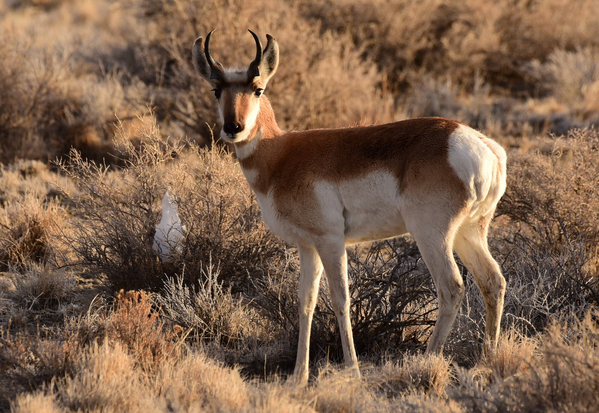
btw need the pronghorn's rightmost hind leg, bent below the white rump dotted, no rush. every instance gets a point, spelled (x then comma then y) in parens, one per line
(471, 246)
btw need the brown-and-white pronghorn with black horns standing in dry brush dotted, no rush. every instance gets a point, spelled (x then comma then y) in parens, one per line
(436, 179)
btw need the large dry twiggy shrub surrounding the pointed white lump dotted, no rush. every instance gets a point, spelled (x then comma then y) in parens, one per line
(119, 209)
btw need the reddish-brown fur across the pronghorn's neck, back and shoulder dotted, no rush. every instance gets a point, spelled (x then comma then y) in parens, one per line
(415, 151)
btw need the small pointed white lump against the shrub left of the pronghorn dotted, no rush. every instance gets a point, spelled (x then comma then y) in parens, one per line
(168, 239)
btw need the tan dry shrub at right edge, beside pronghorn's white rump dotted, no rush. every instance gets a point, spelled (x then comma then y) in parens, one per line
(553, 207)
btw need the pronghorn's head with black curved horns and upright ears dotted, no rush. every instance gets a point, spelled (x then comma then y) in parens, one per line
(238, 91)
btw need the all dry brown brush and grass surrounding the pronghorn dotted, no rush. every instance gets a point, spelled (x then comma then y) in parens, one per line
(92, 320)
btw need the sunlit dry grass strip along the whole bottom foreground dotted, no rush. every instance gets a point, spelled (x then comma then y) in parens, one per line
(116, 372)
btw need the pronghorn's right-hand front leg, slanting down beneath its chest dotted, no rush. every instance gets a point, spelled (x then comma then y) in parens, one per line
(334, 259)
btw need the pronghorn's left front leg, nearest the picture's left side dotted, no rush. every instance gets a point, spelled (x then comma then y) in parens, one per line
(310, 272)
